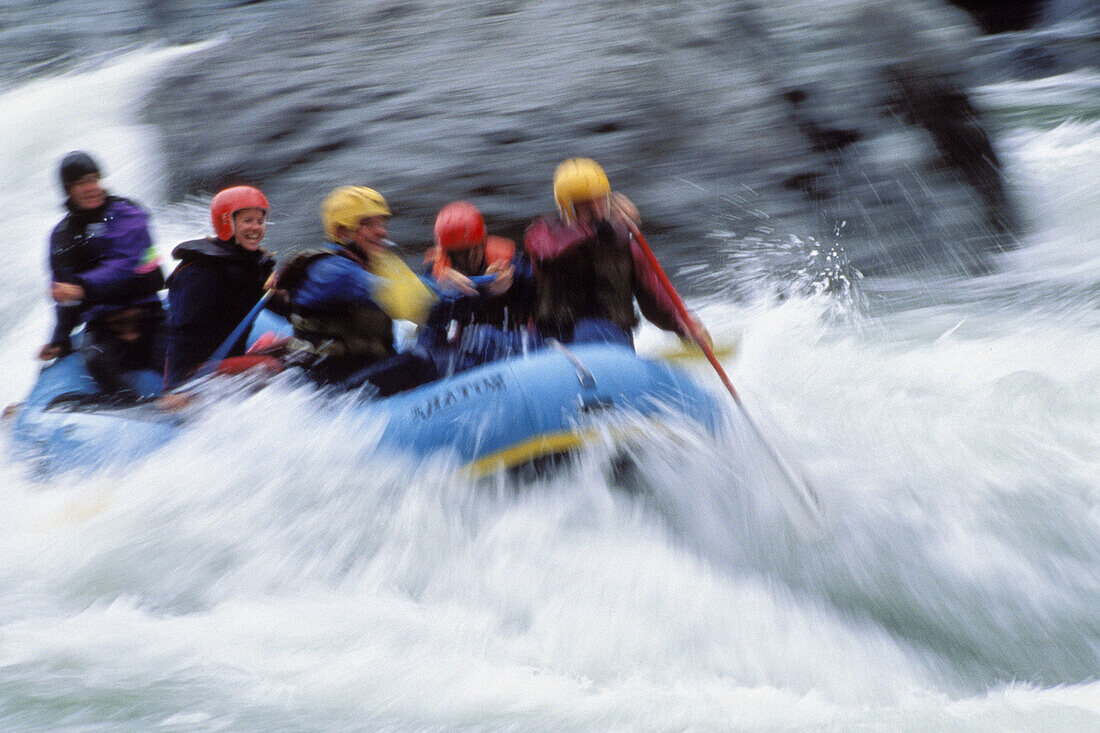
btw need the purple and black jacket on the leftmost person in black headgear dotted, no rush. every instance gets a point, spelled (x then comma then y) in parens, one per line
(109, 254)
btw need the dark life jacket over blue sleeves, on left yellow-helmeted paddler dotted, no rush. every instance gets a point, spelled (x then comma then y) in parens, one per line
(351, 336)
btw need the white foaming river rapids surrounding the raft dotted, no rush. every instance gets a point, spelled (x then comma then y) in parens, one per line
(273, 571)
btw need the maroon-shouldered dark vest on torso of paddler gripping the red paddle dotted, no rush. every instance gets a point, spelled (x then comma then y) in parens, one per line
(581, 276)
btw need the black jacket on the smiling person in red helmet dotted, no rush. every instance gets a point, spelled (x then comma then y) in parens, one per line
(211, 292)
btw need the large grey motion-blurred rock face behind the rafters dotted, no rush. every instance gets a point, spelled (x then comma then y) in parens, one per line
(793, 118)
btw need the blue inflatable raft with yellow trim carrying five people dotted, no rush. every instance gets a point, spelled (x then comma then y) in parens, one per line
(497, 417)
